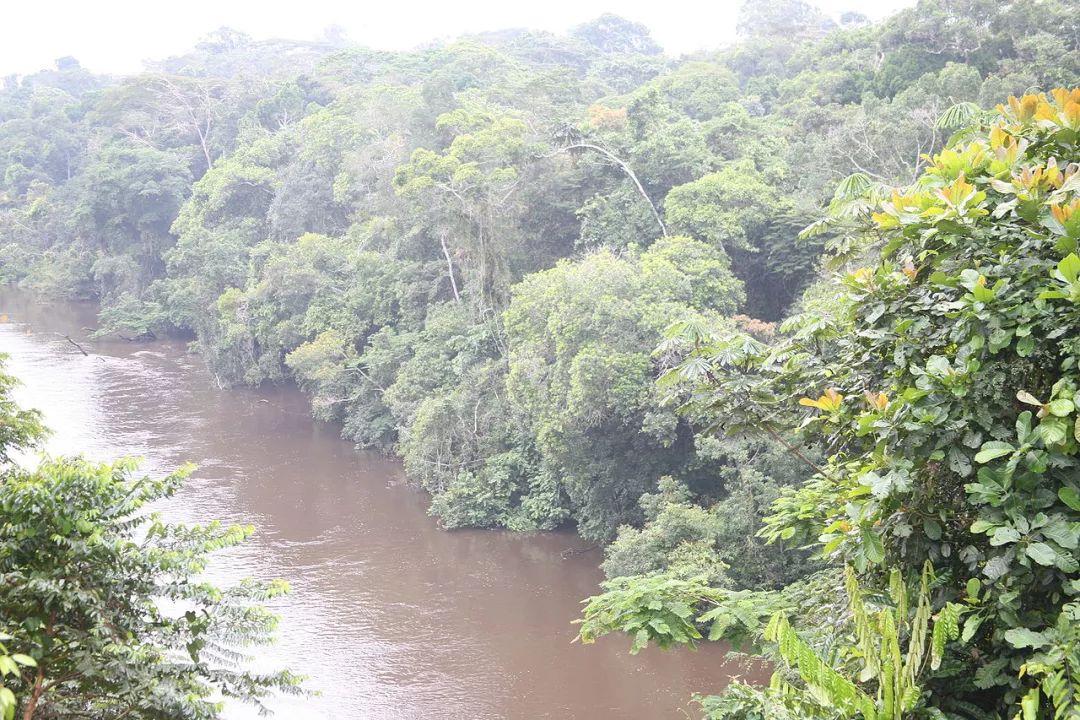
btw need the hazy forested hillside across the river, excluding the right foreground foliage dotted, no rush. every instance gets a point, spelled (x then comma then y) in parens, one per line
(469, 253)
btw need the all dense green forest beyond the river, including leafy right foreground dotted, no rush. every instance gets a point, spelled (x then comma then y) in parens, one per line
(481, 255)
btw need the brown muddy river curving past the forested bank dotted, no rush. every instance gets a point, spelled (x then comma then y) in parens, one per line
(390, 617)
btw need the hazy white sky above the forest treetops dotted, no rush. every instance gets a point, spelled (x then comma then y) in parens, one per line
(116, 36)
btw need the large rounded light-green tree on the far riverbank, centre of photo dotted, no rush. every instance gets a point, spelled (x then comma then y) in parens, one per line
(580, 337)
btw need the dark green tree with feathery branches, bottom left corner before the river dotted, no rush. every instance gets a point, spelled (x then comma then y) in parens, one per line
(109, 602)
